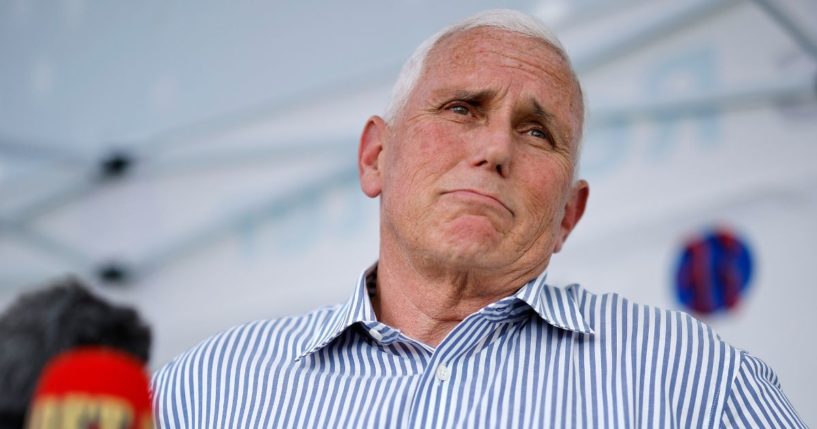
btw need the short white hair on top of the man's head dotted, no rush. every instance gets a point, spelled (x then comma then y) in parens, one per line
(503, 19)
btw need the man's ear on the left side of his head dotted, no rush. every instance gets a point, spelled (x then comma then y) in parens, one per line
(368, 156)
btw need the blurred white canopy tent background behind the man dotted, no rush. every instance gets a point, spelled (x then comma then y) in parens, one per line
(197, 159)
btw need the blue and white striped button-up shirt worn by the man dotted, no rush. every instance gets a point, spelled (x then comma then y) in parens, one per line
(543, 357)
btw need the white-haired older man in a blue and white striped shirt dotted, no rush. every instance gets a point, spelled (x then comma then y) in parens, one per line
(455, 326)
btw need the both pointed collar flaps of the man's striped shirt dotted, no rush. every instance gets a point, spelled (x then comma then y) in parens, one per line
(556, 306)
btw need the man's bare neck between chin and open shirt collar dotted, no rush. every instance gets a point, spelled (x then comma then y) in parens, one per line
(426, 304)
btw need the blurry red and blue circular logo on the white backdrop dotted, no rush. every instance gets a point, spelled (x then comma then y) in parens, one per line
(714, 272)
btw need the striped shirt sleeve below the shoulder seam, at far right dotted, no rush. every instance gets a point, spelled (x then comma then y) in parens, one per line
(756, 399)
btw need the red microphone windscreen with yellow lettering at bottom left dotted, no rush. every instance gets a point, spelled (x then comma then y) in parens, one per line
(92, 387)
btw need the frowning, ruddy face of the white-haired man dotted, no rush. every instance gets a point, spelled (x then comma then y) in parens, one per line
(476, 171)
